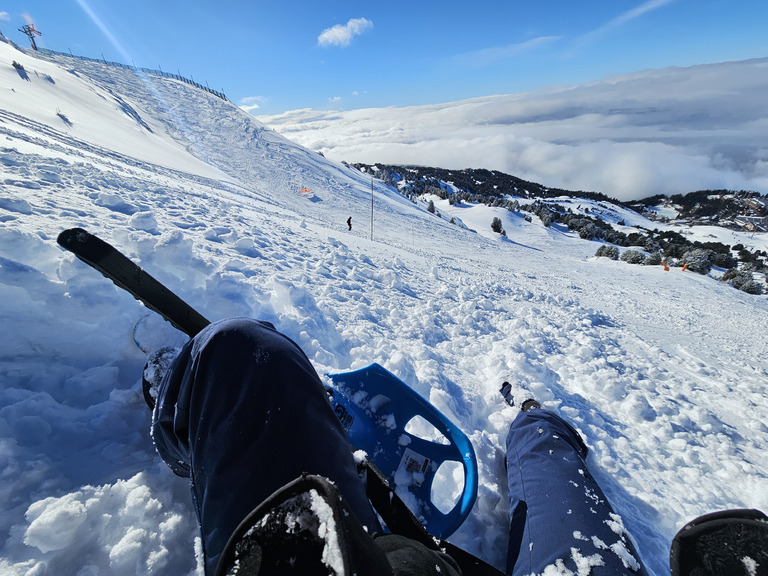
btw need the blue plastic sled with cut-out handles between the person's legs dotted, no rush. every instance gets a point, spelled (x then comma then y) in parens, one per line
(375, 407)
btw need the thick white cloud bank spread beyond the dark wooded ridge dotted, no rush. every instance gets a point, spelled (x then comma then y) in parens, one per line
(660, 132)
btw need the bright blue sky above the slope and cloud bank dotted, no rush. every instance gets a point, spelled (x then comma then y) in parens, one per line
(352, 54)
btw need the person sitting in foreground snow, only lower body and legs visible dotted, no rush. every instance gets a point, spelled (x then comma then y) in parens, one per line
(244, 415)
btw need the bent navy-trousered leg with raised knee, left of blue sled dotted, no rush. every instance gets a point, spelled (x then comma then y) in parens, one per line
(243, 412)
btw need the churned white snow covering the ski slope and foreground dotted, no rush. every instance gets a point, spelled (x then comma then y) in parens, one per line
(662, 372)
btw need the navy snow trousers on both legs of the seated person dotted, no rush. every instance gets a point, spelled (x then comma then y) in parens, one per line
(242, 412)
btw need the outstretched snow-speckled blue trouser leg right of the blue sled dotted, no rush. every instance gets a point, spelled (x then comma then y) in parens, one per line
(560, 516)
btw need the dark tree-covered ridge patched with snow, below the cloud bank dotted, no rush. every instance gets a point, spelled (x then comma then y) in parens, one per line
(595, 216)
